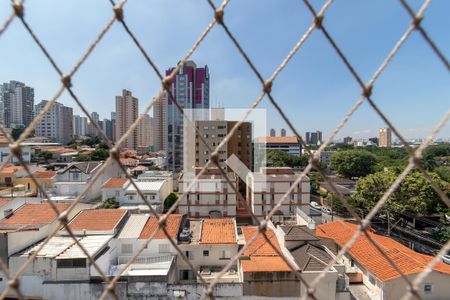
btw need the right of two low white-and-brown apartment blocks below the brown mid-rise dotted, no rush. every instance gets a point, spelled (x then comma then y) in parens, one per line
(267, 187)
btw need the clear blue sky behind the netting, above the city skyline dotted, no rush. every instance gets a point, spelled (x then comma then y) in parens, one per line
(315, 90)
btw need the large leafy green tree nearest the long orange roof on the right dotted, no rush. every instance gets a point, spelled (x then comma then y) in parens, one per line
(414, 194)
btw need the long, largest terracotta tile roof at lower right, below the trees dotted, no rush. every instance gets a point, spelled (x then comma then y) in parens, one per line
(407, 260)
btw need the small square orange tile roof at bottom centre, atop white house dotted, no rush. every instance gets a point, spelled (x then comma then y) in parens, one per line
(218, 231)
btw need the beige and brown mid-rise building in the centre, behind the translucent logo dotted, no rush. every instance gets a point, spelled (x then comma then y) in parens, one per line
(213, 132)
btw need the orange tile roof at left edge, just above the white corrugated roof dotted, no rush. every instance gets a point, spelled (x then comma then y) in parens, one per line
(33, 214)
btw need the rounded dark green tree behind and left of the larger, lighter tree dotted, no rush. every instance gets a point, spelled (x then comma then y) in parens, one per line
(353, 163)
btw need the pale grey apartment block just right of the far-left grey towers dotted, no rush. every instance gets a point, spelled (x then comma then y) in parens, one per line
(57, 123)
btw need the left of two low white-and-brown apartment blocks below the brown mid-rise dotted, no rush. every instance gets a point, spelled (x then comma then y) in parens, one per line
(212, 195)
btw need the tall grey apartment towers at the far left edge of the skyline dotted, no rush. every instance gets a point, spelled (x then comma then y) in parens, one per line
(18, 104)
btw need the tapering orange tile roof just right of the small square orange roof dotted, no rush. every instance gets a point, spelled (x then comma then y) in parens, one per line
(261, 256)
